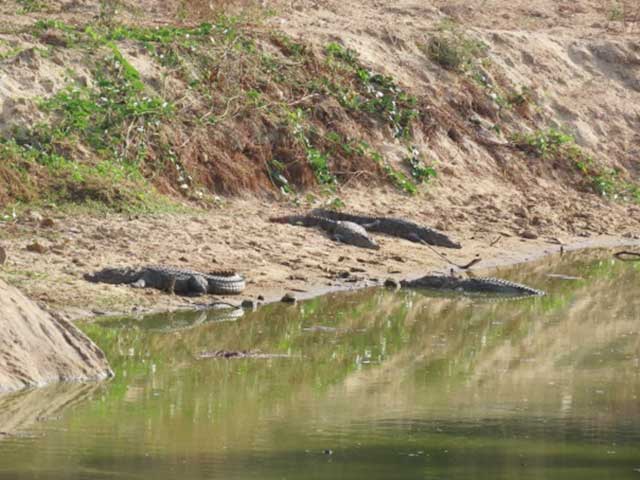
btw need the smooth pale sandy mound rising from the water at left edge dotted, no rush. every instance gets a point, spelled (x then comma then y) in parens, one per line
(37, 349)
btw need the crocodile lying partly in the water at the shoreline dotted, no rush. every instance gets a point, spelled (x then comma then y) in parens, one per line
(473, 285)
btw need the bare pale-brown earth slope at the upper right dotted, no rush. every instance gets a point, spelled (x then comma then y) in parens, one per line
(584, 73)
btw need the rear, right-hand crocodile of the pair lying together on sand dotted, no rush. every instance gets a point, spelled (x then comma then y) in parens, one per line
(394, 227)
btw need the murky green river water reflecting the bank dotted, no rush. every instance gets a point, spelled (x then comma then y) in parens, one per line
(375, 384)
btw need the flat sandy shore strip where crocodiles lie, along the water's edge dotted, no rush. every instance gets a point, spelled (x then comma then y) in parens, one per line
(275, 258)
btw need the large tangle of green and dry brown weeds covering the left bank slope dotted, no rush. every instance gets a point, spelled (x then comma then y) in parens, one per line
(119, 130)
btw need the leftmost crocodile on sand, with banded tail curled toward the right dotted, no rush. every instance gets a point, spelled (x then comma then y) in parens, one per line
(173, 280)
